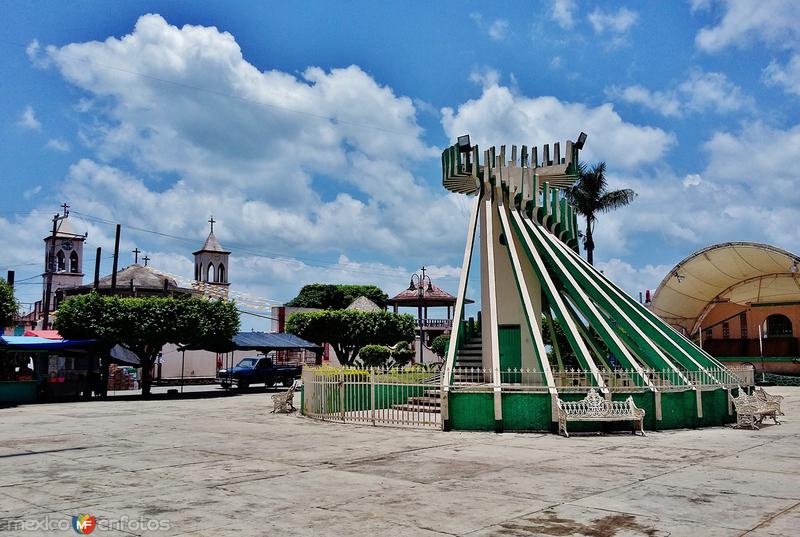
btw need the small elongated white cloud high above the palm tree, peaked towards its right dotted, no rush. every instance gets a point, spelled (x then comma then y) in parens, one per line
(700, 92)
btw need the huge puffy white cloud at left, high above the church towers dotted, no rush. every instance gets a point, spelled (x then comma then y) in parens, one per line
(253, 142)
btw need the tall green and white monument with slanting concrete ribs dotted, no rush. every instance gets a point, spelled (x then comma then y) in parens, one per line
(499, 373)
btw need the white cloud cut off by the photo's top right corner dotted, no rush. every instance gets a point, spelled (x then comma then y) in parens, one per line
(745, 22)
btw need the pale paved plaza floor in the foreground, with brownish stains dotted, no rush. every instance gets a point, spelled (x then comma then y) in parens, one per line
(226, 466)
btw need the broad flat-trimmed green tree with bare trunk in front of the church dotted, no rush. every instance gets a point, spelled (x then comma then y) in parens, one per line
(145, 325)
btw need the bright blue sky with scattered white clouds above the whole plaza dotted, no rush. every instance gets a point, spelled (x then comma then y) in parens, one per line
(313, 133)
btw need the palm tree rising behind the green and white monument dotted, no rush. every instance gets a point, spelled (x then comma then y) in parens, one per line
(590, 197)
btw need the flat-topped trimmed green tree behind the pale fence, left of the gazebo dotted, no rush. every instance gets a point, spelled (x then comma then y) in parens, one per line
(349, 330)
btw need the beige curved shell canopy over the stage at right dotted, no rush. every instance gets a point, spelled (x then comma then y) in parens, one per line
(739, 272)
